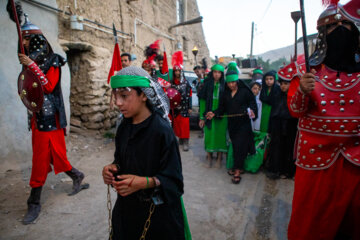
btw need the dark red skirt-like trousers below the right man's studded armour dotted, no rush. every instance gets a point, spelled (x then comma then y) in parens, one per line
(326, 202)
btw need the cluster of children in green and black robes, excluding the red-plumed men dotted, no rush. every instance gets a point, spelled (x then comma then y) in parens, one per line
(248, 123)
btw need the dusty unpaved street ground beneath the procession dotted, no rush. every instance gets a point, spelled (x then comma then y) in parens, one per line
(257, 208)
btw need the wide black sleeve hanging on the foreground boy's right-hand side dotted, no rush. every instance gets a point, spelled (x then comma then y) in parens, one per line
(170, 174)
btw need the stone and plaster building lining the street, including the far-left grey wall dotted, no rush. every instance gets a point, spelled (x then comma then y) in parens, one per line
(88, 45)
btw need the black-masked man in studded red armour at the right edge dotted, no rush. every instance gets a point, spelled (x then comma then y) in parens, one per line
(326, 203)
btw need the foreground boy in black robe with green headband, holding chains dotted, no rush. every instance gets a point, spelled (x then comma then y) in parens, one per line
(147, 171)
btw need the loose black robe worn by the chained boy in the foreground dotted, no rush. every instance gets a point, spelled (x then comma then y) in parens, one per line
(149, 149)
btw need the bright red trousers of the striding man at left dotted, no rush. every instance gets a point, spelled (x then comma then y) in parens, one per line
(48, 148)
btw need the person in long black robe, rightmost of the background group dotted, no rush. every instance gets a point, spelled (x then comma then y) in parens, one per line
(282, 128)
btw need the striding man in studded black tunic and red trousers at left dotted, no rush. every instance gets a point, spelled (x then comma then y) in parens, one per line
(48, 125)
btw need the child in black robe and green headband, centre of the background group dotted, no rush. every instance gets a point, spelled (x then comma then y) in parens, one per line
(239, 103)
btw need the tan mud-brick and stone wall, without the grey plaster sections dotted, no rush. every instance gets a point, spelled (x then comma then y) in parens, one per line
(89, 51)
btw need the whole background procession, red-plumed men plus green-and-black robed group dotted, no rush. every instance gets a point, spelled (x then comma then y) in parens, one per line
(246, 124)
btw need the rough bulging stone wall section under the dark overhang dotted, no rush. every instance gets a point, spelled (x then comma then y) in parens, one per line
(90, 93)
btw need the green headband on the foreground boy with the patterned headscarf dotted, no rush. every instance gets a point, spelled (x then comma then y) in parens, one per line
(119, 81)
